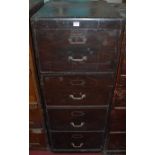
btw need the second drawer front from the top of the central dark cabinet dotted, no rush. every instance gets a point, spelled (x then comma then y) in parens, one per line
(78, 90)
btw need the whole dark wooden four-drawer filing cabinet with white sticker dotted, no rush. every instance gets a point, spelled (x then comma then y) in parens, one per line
(77, 55)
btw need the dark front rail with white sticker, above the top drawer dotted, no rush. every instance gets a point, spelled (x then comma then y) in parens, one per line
(75, 23)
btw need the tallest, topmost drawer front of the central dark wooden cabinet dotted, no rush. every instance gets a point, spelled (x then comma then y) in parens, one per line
(96, 52)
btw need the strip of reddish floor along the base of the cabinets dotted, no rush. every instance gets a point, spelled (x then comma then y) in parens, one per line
(50, 153)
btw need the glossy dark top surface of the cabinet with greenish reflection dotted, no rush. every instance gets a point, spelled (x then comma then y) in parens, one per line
(80, 9)
